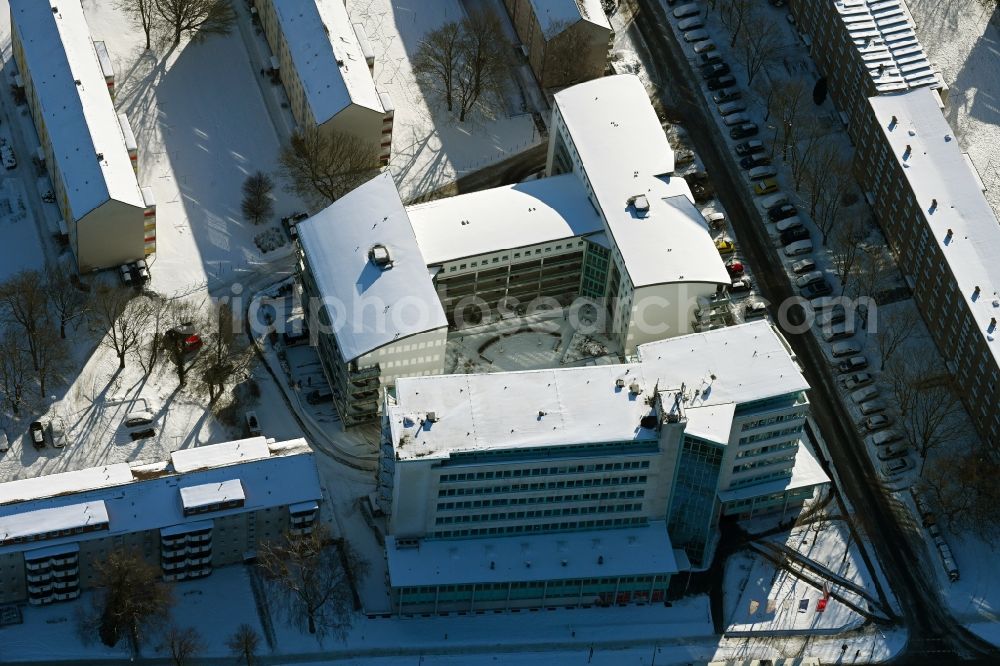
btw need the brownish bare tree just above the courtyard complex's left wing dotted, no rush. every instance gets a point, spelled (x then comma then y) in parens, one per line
(320, 167)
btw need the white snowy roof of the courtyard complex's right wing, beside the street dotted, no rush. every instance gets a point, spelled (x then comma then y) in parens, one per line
(625, 153)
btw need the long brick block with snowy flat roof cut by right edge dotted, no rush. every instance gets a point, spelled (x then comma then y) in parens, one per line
(929, 202)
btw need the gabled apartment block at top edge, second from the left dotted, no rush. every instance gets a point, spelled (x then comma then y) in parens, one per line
(326, 64)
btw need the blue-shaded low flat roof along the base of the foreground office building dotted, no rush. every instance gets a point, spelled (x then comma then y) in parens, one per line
(629, 551)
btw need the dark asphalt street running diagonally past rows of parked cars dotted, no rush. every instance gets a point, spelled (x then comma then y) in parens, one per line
(935, 637)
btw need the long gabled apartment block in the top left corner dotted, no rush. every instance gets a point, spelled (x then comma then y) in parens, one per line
(109, 219)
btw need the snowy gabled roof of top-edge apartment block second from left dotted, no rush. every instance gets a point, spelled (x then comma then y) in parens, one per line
(329, 61)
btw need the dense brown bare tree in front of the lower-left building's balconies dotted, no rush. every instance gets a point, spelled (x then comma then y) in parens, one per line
(131, 598)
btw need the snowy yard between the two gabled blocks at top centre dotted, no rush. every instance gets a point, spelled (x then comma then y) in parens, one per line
(430, 148)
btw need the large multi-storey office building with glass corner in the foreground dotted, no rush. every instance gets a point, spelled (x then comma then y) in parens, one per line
(574, 486)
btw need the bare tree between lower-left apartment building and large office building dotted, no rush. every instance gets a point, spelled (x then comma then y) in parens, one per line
(311, 575)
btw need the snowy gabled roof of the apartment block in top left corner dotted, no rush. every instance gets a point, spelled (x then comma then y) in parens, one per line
(73, 100)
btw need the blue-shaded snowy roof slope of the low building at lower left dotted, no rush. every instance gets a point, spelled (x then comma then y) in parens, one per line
(279, 480)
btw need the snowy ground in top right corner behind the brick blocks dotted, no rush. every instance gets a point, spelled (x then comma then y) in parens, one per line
(962, 39)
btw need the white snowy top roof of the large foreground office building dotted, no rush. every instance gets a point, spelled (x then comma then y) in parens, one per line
(719, 369)
